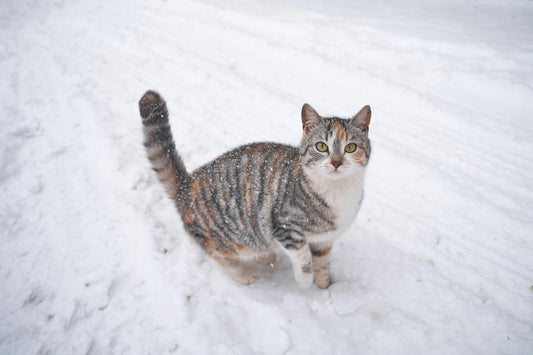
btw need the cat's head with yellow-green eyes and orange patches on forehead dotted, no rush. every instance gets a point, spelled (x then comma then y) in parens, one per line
(333, 147)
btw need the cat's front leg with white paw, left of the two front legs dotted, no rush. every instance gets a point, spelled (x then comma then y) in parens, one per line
(299, 253)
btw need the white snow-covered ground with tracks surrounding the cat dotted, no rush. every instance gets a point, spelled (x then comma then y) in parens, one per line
(93, 258)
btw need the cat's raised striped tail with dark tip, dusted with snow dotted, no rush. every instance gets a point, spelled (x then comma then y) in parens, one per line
(160, 147)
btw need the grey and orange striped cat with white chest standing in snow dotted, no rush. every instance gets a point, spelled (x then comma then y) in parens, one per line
(261, 196)
